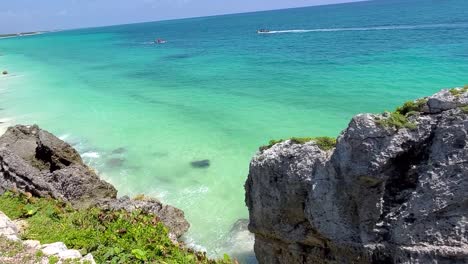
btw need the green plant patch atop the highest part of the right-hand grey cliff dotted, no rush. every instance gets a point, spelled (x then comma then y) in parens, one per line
(399, 118)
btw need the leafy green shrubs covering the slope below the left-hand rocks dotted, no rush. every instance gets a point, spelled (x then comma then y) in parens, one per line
(111, 236)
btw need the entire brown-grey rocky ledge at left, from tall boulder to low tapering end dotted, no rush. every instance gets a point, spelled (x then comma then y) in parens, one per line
(35, 161)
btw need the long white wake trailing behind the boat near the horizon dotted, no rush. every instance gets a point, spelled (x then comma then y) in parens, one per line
(402, 27)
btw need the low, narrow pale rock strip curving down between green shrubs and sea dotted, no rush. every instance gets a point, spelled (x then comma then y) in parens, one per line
(172, 217)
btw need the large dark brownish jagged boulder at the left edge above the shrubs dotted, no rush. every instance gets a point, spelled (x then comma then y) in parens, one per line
(35, 161)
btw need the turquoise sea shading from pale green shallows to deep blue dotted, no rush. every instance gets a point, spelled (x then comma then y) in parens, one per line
(140, 113)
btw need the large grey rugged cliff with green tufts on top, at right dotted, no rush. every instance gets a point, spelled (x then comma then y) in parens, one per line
(392, 191)
